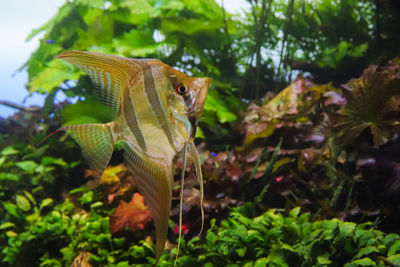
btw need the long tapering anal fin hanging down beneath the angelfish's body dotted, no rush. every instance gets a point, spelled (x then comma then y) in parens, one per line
(154, 181)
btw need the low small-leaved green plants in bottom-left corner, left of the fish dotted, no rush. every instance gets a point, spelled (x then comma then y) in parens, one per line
(57, 238)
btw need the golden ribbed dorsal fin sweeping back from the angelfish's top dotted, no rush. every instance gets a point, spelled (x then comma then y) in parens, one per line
(109, 73)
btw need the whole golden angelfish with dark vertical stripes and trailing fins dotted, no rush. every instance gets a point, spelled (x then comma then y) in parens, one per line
(157, 109)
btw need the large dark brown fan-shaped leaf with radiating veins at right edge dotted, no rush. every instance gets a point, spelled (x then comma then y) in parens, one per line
(372, 102)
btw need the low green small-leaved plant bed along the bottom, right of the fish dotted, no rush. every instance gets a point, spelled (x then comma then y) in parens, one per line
(275, 240)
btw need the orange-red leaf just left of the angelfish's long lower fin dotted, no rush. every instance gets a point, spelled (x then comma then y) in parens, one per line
(133, 214)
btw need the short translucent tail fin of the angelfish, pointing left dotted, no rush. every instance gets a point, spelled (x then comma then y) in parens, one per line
(96, 141)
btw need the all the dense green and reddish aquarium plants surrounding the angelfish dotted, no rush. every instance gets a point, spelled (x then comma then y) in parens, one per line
(299, 139)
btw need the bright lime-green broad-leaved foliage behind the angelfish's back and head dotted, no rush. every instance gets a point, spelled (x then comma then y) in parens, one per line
(181, 33)
